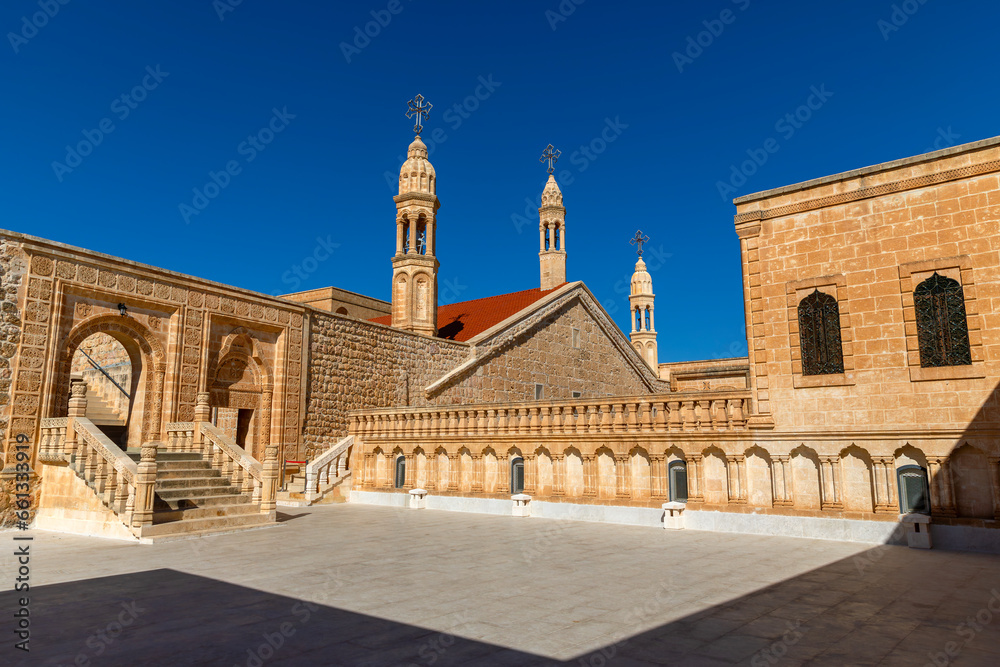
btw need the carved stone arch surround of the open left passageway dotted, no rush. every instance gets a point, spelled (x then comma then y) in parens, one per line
(148, 372)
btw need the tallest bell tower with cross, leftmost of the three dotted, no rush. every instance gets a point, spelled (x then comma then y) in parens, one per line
(415, 265)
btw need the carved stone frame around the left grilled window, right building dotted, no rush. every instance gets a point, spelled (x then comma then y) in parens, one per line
(835, 286)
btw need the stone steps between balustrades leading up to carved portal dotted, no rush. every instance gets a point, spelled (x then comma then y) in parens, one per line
(191, 498)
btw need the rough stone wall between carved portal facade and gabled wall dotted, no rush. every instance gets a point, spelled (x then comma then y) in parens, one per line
(356, 365)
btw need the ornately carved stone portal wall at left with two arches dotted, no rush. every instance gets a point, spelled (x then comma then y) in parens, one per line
(70, 293)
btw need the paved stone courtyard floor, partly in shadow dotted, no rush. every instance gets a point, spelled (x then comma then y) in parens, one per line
(362, 585)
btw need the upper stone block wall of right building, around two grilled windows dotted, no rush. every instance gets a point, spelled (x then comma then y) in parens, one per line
(870, 253)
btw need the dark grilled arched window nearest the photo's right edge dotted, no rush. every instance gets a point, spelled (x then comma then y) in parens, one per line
(942, 331)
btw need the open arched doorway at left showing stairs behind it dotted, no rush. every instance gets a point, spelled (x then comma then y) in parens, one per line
(102, 362)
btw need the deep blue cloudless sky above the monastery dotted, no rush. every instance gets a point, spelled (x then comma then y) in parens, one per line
(653, 105)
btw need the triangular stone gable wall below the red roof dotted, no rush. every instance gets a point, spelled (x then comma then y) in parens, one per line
(544, 354)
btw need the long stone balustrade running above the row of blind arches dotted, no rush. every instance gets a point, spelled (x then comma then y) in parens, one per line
(720, 411)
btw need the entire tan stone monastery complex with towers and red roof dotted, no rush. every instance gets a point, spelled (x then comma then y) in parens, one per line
(140, 403)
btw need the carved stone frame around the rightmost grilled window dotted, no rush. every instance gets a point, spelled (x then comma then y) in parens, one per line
(957, 268)
